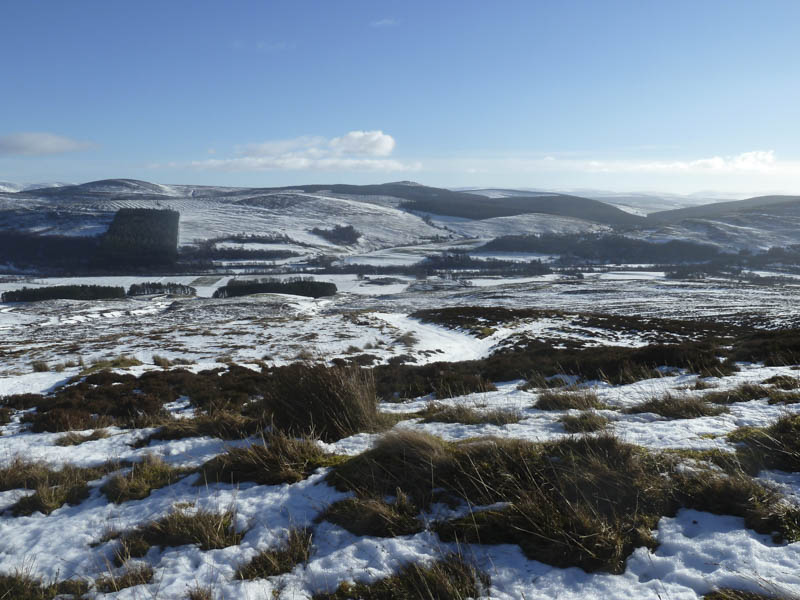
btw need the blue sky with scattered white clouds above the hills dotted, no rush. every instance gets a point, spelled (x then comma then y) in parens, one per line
(637, 95)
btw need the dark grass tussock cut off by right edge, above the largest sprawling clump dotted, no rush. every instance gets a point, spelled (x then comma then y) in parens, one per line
(774, 447)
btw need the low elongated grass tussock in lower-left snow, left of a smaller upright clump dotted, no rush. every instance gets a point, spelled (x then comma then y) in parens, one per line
(207, 530)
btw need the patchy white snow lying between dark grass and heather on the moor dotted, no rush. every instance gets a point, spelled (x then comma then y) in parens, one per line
(697, 552)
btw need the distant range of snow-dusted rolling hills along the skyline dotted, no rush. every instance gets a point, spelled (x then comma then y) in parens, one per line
(397, 213)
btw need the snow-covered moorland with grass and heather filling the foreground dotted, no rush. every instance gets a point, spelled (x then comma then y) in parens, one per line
(194, 448)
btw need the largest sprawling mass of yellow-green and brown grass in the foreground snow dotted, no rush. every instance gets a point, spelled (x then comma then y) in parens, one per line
(580, 501)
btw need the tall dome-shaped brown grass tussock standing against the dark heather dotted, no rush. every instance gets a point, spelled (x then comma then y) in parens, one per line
(328, 402)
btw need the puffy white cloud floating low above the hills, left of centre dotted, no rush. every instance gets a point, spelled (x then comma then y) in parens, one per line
(356, 150)
